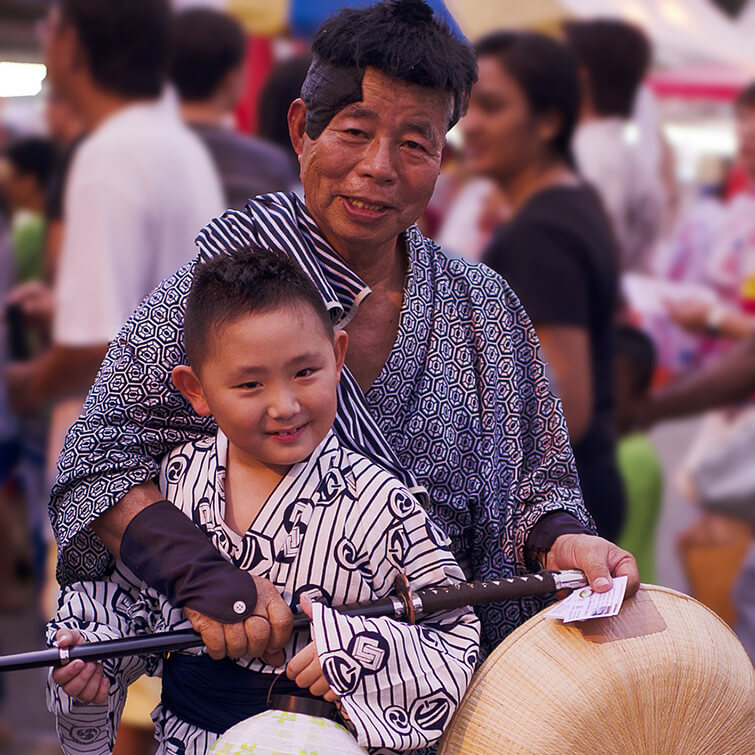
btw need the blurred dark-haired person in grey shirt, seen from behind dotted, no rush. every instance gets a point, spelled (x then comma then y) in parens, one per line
(207, 70)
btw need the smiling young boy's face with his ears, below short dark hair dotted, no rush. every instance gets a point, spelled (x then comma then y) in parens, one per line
(270, 380)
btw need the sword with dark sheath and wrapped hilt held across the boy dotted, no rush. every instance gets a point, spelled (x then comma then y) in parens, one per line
(404, 605)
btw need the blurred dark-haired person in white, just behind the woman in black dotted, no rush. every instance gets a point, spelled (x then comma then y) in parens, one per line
(614, 57)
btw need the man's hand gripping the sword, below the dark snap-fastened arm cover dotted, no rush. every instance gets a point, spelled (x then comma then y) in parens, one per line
(262, 635)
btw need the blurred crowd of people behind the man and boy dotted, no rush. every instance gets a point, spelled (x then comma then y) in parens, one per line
(559, 177)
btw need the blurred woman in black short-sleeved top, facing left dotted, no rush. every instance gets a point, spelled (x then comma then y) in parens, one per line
(557, 251)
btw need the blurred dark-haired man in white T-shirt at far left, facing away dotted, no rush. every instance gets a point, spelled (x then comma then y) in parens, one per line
(140, 187)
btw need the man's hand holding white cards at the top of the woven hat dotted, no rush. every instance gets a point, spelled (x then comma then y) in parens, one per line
(598, 558)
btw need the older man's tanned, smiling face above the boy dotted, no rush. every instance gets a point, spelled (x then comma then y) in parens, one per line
(372, 171)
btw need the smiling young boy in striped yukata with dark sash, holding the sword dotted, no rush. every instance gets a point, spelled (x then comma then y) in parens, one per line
(279, 496)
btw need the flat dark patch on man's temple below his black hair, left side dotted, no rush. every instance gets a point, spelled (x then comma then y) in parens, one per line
(328, 89)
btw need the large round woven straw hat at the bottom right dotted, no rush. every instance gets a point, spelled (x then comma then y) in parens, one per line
(664, 677)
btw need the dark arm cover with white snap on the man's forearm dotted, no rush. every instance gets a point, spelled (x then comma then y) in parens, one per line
(163, 547)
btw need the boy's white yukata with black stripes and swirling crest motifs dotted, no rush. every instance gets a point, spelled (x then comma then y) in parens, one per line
(337, 528)
